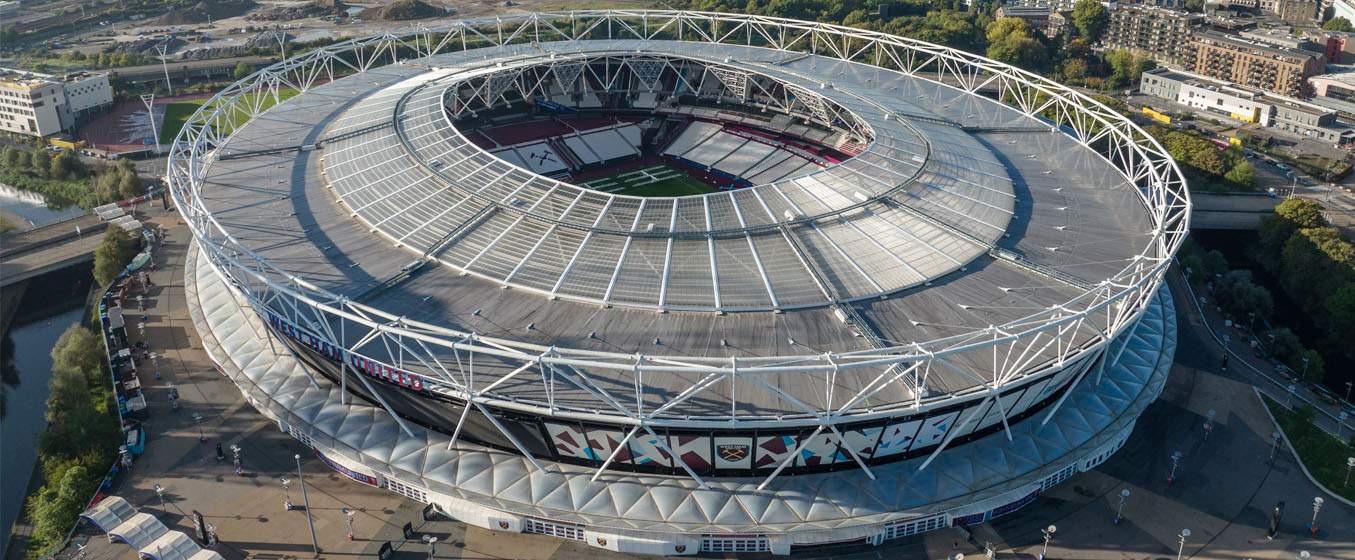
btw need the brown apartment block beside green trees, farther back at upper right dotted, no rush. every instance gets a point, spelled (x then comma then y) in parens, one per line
(1158, 33)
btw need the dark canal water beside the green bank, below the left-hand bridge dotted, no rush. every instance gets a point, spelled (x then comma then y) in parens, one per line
(52, 304)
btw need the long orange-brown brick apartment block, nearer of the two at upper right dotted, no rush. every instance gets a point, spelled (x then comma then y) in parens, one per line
(1255, 64)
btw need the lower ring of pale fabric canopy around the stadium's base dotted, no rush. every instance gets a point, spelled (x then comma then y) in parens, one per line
(1105, 406)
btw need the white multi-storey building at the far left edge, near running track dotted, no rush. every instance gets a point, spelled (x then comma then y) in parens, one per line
(43, 105)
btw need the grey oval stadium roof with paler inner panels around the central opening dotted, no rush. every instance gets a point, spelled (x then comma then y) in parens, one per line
(1003, 220)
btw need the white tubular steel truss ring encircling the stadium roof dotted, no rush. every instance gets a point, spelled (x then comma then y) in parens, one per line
(449, 356)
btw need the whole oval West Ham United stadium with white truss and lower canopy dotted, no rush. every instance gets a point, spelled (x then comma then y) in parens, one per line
(675, 283)
